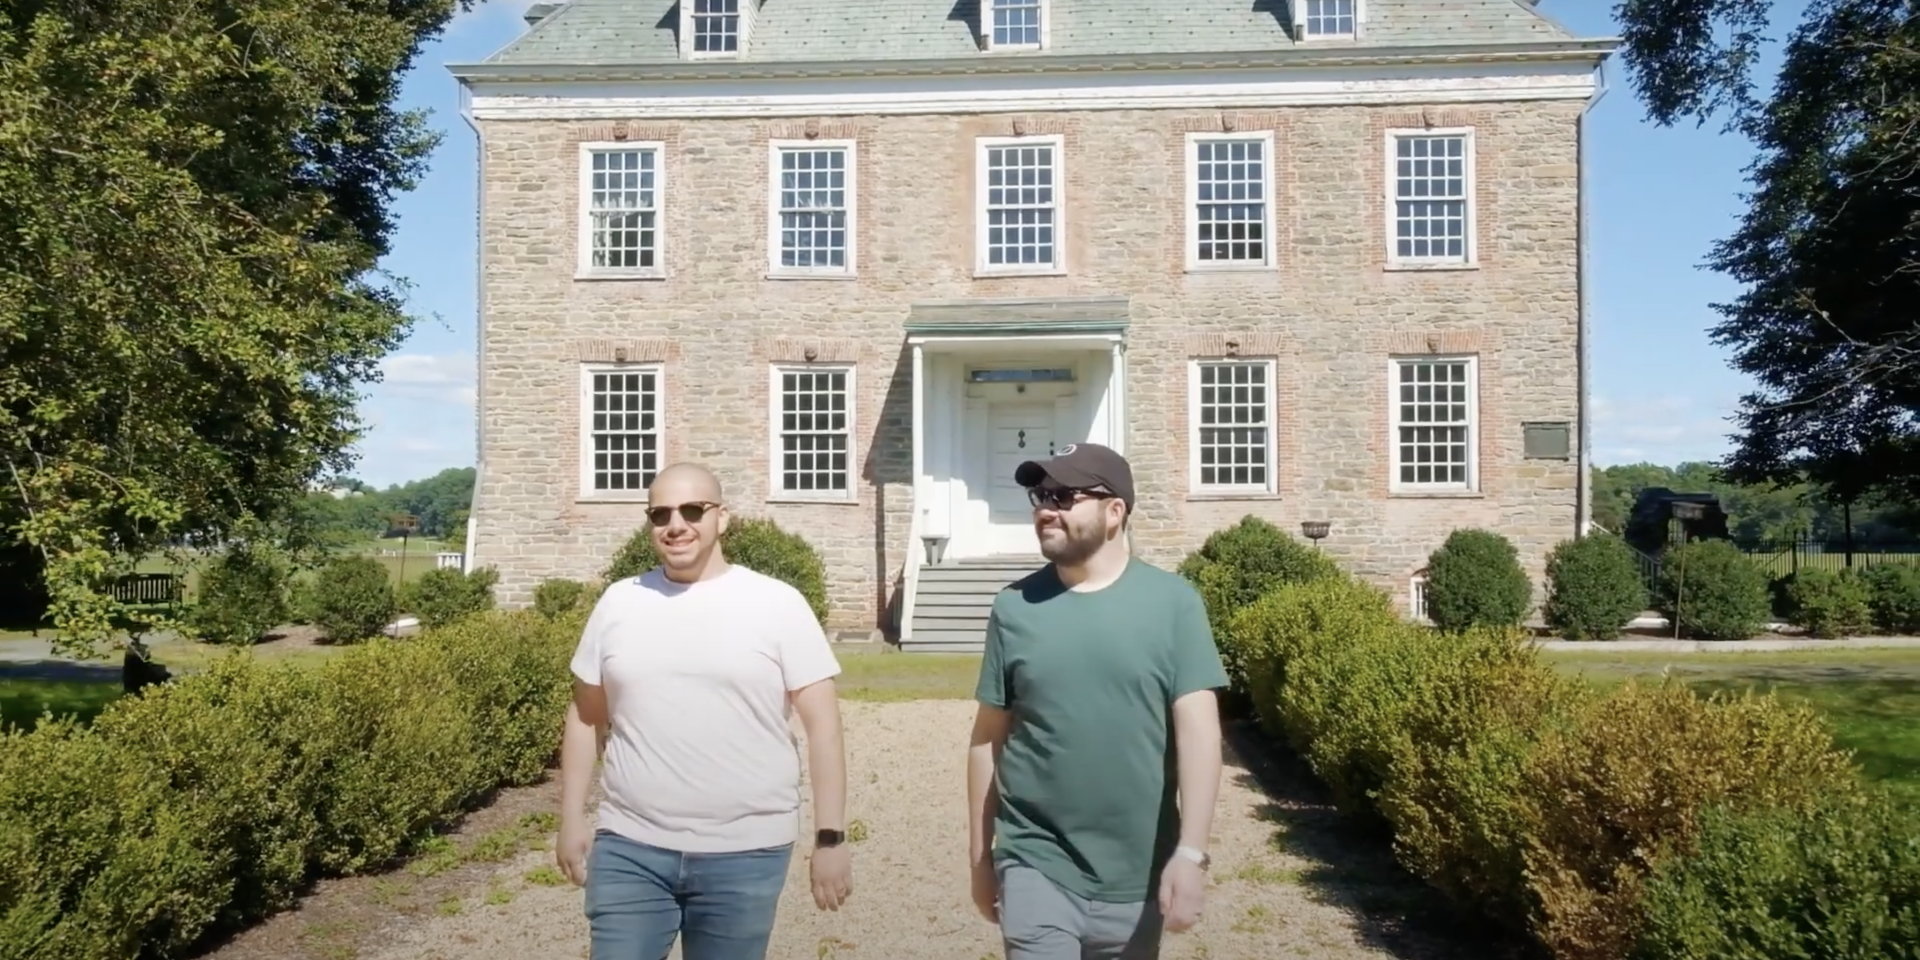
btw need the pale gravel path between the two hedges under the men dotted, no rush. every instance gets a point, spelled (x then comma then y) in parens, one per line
(1276, 892)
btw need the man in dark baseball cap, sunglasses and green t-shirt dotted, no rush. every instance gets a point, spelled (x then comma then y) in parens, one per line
(1097, 746)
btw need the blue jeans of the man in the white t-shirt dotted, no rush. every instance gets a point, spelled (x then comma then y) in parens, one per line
(721, 903)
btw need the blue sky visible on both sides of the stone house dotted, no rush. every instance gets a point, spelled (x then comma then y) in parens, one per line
(1660, 201)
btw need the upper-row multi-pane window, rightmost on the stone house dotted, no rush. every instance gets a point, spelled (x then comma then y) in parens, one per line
(1431, 199)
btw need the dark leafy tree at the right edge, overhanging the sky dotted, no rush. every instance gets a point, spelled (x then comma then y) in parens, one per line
(1827, 251)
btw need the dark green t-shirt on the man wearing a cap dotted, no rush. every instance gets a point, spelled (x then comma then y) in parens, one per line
(1088, 779)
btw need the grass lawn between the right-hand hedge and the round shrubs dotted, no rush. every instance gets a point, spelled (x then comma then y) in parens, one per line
(1873, 698)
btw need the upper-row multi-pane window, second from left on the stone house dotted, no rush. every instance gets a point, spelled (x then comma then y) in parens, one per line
(813, 203)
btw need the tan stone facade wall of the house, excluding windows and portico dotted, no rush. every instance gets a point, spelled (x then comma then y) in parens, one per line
(1330, 316)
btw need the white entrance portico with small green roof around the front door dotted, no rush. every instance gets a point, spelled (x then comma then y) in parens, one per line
(999, 383)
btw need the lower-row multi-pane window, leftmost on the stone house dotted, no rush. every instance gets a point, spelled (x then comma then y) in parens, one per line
(623, 429)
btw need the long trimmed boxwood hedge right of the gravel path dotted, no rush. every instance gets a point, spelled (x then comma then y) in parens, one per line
(1641, 823)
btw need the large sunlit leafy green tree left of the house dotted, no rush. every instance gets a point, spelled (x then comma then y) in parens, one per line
(193, 203)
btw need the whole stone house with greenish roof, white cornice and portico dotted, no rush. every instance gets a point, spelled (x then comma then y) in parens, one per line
(1307, 260)
